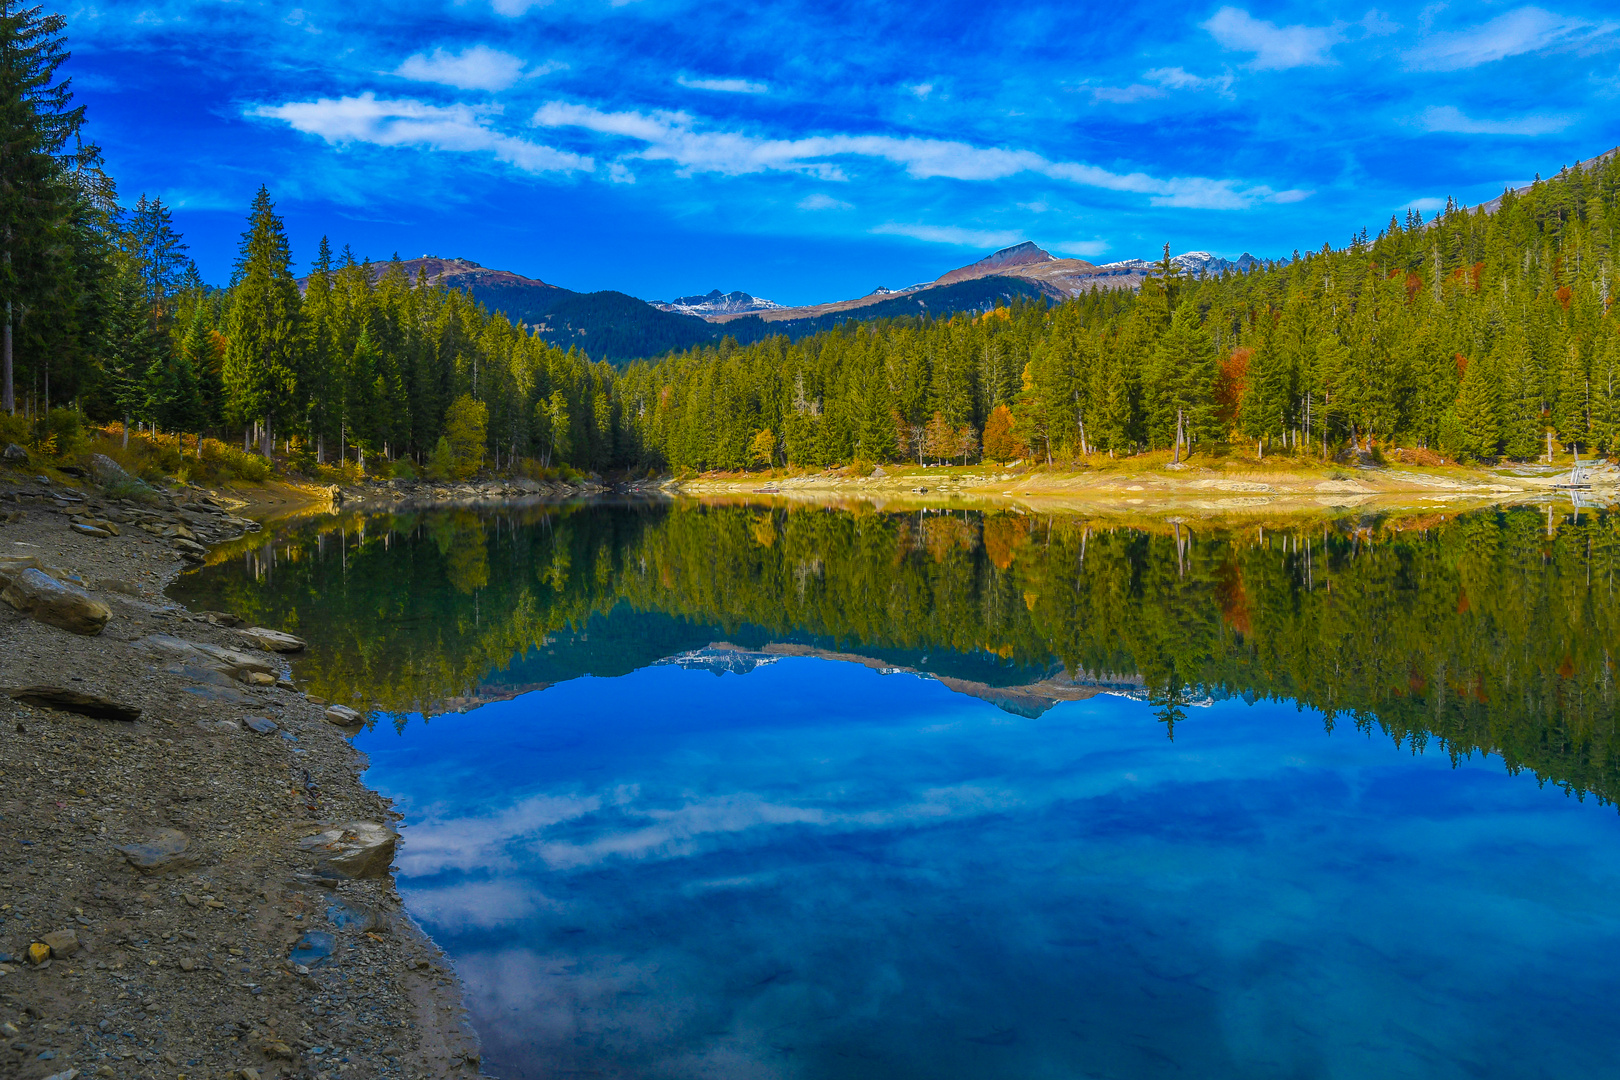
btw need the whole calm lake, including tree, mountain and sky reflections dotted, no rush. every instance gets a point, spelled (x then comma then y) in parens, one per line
(748, 791)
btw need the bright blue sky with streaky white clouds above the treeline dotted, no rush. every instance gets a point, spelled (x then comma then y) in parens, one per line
(814, 151)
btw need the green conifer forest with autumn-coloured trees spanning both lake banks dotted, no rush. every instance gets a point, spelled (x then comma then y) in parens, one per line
(1475, 336)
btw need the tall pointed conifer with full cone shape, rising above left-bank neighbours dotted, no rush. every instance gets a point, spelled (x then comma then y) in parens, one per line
(266, 330)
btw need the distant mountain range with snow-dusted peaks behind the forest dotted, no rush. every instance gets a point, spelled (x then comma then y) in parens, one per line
(616, 326)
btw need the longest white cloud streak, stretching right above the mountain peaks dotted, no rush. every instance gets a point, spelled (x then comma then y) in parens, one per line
(673, 137)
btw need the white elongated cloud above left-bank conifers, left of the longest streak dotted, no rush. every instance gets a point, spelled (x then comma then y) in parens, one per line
(406, 122)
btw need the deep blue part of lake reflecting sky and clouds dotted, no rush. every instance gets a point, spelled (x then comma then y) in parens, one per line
(814, 870)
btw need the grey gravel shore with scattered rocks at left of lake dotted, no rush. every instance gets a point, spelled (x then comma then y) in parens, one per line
(187, 966)
